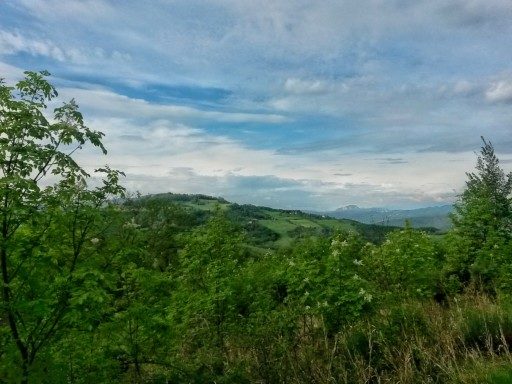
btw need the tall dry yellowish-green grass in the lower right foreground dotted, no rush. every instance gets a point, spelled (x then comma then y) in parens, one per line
(465, 341)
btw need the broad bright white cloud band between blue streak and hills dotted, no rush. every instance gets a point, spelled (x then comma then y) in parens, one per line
(164, 156)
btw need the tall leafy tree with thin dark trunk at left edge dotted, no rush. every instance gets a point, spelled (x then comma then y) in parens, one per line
(47, 213)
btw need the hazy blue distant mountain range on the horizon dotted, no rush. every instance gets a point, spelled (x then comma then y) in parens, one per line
(436, 217)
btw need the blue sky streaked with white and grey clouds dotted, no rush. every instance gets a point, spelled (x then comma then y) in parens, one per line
(291, 104)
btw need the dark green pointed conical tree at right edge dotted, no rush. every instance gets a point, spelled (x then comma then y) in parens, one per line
(482, 221)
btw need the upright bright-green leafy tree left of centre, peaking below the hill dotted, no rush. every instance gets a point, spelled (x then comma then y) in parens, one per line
(206, 297)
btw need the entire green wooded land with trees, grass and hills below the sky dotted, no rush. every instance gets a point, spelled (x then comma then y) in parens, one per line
(101, 286)
